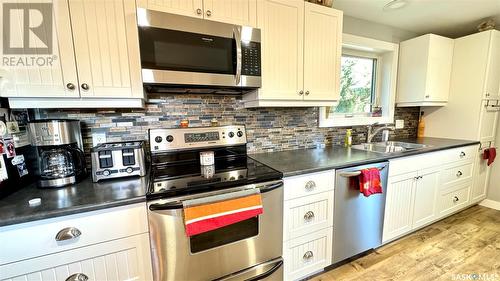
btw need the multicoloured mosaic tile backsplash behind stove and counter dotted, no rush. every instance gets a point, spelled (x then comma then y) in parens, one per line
(268, 129)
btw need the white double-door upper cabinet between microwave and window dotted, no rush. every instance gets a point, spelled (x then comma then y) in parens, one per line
(301, 50)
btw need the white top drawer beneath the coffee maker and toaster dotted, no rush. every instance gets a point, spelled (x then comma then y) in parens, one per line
(38, 238)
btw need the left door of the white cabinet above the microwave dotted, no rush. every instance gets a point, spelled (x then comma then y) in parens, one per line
(191, 8)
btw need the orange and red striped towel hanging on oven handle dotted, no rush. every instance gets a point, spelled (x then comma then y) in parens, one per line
(209, 213)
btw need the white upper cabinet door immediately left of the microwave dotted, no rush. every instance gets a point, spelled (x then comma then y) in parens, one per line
(106, 48)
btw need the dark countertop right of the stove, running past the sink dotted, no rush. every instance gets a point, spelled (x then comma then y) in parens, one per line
(296, 162)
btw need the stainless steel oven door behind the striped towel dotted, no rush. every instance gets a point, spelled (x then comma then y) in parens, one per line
(235, 248)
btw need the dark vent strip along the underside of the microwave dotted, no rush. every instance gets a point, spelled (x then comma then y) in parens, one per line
(183, 89)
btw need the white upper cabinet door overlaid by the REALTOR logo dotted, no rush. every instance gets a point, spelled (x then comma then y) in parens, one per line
(57, 79)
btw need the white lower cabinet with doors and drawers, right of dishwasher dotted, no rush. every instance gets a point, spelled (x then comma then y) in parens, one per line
(424, 188)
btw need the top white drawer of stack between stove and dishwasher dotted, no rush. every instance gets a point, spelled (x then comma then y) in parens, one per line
(313, 183)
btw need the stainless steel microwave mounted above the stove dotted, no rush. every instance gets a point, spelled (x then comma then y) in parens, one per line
(179, 51)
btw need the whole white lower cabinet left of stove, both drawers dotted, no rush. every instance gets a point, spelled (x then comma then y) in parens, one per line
(110, 244)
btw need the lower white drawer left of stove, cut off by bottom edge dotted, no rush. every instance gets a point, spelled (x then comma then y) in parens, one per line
(117, 260)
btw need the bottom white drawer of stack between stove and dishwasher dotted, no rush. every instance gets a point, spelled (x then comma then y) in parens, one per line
(308, 254)
